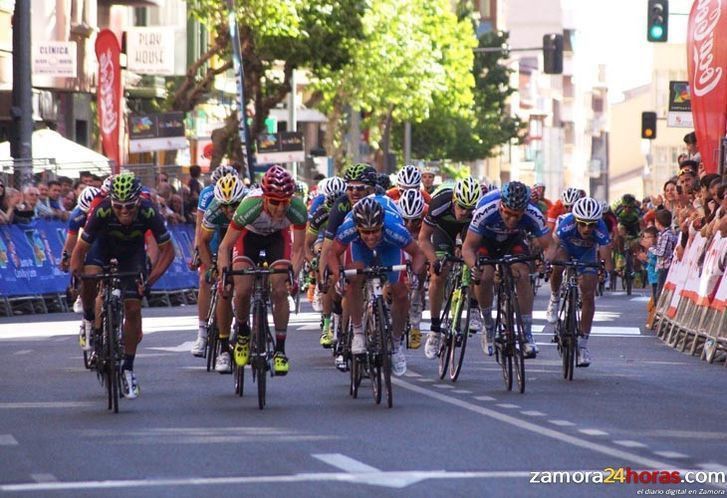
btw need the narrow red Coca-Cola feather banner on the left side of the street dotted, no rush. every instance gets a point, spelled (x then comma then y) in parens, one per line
(108, 98)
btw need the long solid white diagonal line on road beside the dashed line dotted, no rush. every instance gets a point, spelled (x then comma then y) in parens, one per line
(535, 428)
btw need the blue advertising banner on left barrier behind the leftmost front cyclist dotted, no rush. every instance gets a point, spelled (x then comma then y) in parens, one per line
(29, 257)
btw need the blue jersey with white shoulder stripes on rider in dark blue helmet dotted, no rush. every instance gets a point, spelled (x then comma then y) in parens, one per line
(488, 223)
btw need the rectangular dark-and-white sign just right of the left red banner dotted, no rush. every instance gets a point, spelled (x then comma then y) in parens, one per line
(148, 133)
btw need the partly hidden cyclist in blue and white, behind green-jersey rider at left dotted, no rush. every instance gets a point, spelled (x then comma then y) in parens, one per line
(203, 293)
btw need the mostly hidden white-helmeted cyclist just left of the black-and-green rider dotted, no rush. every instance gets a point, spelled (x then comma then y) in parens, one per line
(413, 209)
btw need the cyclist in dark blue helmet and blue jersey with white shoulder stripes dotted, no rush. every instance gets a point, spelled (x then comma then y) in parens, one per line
(498, 228)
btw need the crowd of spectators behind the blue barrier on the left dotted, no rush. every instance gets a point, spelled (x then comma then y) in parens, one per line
(55, 199)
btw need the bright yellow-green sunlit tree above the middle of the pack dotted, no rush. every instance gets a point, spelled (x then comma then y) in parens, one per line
(412, 54)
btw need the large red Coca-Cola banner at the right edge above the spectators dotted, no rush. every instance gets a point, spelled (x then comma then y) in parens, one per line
(707, 62)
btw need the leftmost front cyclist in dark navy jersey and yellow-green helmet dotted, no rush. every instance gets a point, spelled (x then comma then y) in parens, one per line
(117, 226)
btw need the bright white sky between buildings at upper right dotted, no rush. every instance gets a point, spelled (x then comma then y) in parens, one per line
(613, 32)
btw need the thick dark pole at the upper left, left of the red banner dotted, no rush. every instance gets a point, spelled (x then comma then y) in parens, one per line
(22, 108)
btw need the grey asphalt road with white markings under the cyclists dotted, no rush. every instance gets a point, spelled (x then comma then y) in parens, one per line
(640, 405)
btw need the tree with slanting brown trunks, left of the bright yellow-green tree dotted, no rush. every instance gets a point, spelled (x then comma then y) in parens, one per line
(276, 38)
